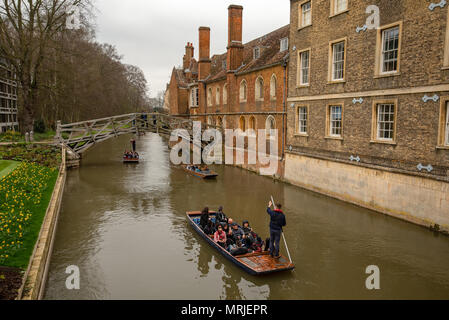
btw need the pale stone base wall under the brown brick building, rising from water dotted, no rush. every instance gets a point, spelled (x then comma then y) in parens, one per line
(417, 199)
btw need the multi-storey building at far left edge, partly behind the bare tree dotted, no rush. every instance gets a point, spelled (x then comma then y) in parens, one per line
(8, 98)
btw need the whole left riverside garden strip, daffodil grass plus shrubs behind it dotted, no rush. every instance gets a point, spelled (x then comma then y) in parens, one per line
(24, 197)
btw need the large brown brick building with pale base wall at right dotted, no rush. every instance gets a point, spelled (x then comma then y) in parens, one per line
(368, 115)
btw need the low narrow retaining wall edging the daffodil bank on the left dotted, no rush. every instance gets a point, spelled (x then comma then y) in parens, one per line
(36, 274)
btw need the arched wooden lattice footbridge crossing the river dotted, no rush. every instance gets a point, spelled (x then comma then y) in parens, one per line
(80, 136)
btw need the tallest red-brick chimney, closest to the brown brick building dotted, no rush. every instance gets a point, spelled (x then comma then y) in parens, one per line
(235, 46)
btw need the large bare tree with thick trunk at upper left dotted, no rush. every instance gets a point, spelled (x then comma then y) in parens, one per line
(28, 29)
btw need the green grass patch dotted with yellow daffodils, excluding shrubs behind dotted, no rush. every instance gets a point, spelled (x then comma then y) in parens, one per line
(24, 197)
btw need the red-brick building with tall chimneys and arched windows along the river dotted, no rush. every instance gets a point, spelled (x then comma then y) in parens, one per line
(242, 88)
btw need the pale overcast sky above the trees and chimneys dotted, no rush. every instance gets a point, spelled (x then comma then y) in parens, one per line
(152, 34)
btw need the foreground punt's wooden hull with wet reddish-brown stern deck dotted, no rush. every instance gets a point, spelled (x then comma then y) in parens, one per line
(259, 263)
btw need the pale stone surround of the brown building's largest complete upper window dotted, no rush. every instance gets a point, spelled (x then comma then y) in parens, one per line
(380, 47)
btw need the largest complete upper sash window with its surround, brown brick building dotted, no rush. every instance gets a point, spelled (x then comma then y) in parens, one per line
(388, 49)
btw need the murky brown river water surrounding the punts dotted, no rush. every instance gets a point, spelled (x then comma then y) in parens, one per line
(125, 227)
